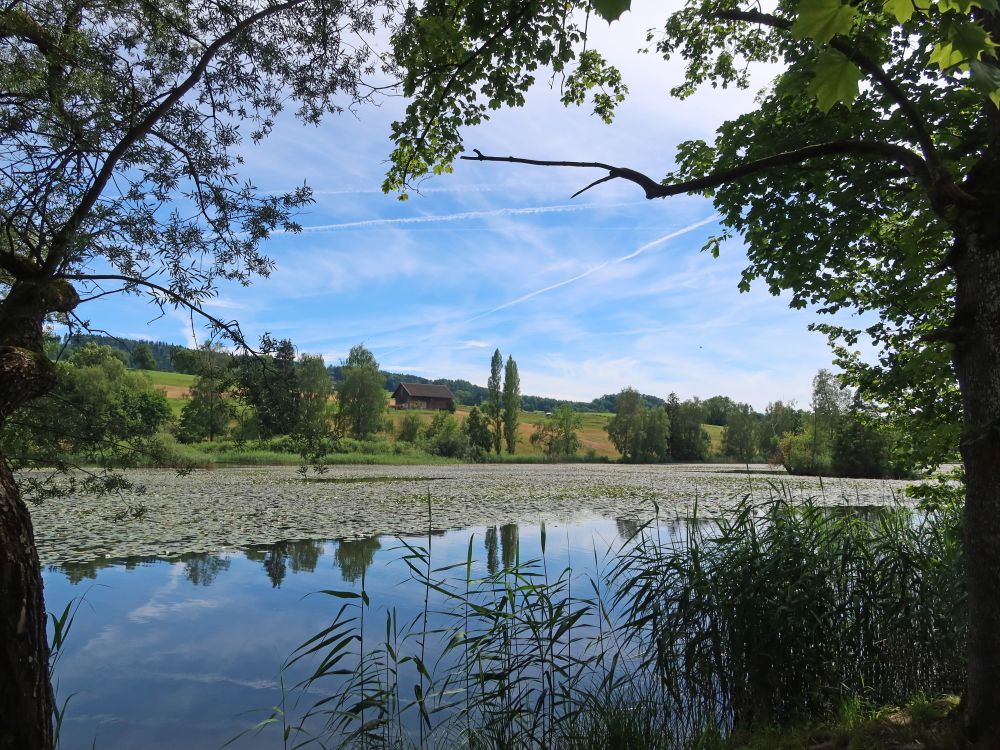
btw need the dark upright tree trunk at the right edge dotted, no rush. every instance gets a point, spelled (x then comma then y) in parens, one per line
(976, 263)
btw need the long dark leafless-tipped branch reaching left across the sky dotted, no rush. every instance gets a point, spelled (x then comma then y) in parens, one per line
(877, 150)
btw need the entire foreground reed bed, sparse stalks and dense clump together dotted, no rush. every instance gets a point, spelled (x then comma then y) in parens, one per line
(774, 614)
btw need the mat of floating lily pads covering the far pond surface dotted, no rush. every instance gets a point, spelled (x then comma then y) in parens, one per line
(211, 510)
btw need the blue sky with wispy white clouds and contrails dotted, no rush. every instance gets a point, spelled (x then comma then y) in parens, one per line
(589, 295)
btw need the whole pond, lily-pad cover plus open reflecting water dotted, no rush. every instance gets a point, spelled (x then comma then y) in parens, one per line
(191, 606)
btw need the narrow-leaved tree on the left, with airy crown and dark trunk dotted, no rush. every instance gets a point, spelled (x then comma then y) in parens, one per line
(121, 141)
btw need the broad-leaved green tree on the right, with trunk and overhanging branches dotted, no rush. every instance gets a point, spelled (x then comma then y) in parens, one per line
(867, 178)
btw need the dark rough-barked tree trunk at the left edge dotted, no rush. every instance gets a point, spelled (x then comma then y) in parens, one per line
(25, 373)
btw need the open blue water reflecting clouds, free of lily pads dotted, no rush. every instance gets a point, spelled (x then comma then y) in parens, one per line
(187, 652)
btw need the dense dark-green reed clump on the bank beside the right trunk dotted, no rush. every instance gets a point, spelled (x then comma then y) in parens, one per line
(783, 612)
